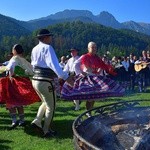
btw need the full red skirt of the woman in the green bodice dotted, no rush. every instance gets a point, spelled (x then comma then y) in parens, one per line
(17, 91)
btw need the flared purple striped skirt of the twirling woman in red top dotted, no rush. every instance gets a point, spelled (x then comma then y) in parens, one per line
(91, 87)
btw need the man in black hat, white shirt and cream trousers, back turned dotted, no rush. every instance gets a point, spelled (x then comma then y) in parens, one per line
(45, 64)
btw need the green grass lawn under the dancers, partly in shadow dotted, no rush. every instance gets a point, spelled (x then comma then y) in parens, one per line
(24, 138)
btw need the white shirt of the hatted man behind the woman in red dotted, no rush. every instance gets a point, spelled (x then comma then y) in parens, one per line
(69, 67)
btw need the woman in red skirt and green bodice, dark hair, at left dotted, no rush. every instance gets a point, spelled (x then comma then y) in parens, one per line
(16, 89)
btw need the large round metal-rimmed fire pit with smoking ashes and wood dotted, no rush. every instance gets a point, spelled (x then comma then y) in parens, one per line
(118, 126)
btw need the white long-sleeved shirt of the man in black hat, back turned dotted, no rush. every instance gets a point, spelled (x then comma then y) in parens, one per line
(43, 55)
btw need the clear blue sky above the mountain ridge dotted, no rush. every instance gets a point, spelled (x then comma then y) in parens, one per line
(122, 10)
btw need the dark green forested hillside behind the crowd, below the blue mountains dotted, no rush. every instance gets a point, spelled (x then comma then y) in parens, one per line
(78, 34)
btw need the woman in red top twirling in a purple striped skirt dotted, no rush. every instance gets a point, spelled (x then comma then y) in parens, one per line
(89, 84)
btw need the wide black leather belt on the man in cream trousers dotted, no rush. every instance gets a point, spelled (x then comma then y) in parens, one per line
(44, 72)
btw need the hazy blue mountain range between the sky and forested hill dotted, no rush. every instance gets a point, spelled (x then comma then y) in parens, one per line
(104, 18)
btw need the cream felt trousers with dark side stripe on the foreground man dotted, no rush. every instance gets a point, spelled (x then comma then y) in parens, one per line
(46, 109)
